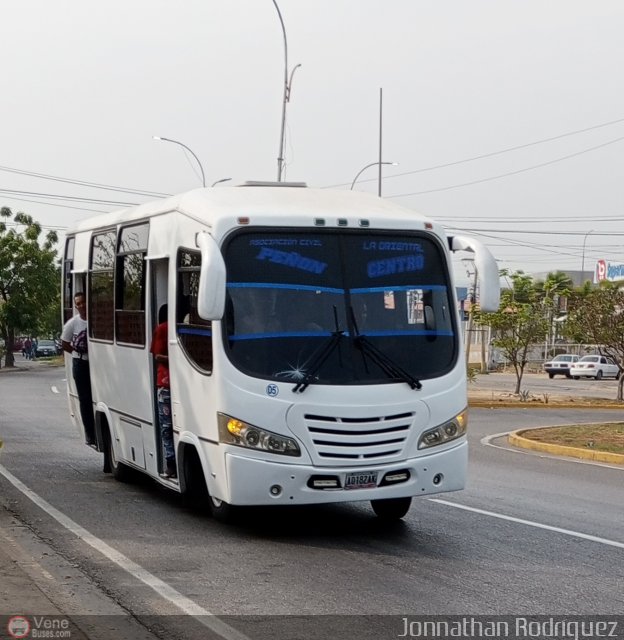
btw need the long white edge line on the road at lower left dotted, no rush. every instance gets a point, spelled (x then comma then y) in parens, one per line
(164, 590)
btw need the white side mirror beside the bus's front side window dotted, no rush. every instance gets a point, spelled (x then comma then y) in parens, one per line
(211, 293)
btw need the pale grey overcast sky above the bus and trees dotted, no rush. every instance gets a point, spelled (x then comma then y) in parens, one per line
(506, 117)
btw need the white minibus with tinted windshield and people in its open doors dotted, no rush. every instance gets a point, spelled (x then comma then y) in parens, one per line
(315, 350)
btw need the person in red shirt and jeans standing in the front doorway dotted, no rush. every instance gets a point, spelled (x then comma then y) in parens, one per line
(160, 351)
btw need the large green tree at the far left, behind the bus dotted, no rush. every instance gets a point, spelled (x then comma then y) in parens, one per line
(29, 278)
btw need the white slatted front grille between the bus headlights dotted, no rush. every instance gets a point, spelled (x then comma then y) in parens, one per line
(369, 438)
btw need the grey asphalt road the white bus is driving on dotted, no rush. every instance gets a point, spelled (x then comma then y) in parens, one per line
(531, 535)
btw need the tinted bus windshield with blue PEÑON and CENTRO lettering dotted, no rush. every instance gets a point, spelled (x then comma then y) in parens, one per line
(339, 307)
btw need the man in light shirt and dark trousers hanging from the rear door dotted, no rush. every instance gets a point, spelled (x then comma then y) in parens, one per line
(74, 341)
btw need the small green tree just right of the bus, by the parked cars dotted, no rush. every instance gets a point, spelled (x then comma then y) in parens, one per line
(520, 322)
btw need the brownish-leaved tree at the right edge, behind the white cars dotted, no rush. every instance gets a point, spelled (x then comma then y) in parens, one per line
(596, 316)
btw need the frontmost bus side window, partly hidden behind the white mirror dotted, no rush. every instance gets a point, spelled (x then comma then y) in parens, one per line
(194, 334)
